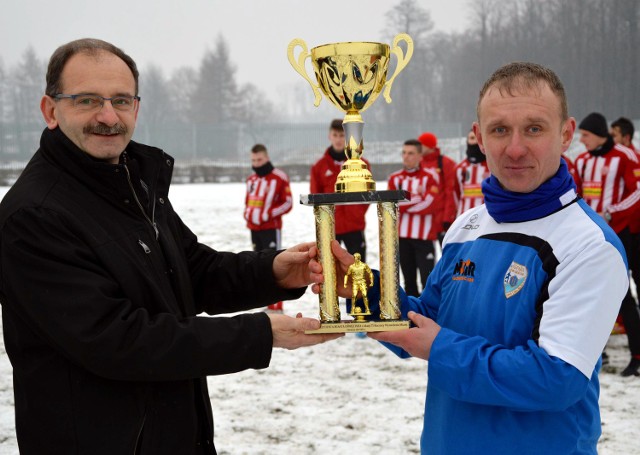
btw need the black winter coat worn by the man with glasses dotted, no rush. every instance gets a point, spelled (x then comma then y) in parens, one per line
(99, 311)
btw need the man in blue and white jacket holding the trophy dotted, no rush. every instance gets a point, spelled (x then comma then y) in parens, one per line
(516, 314)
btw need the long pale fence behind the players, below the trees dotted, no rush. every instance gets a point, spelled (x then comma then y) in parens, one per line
(221, 153)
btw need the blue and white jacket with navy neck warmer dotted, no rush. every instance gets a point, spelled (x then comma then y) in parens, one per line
(526, 292)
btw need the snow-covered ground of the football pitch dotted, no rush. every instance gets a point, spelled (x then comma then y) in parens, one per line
(349, 396)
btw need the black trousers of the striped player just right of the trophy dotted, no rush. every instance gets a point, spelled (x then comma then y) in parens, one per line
(416, 255)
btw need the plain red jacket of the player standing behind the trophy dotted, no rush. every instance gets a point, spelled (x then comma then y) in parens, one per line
(324, 173)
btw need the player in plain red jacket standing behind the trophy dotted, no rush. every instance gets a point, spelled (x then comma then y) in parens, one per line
(349, 219)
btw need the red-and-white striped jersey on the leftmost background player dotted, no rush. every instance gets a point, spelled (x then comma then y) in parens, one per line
(267, 199)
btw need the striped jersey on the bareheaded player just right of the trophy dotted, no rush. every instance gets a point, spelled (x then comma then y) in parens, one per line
(417, 215)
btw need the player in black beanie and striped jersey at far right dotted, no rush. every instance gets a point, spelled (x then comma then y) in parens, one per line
(609, 173)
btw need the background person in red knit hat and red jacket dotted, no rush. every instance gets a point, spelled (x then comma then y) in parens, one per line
(433, 159)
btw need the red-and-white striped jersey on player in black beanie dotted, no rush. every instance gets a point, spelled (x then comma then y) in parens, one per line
(610, 184)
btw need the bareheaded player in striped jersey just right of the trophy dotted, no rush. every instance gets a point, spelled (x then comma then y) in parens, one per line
(416, 226)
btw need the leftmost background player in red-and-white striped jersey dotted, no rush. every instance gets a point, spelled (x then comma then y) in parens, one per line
(268, 197)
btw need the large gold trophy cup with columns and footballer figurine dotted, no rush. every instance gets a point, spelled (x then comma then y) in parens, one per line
(352, 75)
